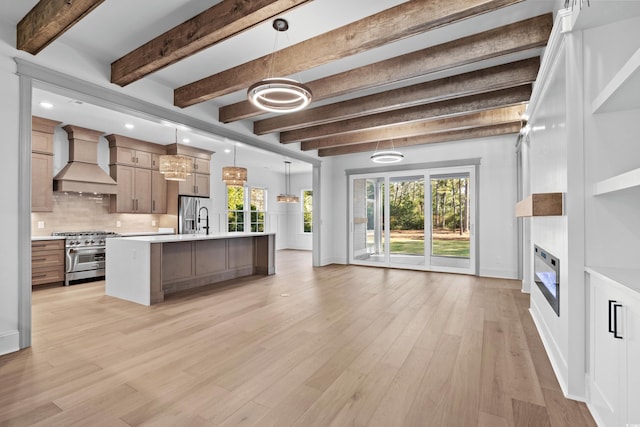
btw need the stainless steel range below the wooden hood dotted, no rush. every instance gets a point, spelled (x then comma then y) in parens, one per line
(85, 254)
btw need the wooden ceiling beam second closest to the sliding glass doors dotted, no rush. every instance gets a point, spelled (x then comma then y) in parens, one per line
(480, 119)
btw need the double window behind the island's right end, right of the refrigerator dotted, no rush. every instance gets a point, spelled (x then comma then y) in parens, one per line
(255, 199)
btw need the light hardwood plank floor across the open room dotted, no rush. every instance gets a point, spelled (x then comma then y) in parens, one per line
(331, 346)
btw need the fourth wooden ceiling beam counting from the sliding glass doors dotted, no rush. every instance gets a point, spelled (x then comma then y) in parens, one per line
(480, 81)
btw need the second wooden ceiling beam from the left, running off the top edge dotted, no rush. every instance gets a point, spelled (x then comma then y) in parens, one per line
(226, 19)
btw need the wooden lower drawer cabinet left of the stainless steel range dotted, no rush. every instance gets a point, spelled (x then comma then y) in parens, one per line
(47, 261)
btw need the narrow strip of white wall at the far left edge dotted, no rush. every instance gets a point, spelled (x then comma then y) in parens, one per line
(9, 116)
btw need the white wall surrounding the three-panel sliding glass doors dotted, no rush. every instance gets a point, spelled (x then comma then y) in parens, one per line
(497, 197)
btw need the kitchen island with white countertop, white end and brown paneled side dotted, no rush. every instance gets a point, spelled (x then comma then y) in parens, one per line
(143, 269)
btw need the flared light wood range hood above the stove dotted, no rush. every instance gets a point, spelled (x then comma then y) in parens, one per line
(82, 174)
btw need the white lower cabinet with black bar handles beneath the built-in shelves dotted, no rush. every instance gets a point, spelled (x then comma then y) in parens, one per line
(614, 372)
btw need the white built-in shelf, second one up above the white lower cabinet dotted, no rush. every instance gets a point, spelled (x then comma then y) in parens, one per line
(621, 93)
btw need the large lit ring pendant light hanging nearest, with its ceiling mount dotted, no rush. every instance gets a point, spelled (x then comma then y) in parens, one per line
(279, 94)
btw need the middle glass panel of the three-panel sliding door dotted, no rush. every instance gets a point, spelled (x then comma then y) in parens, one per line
(406, 220)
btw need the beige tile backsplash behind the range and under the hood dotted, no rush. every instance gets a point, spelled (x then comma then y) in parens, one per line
(84, 212)
